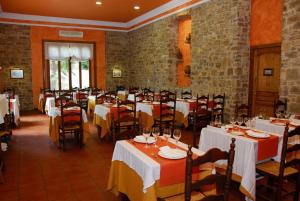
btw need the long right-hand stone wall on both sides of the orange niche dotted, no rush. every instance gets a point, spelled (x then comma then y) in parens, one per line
(220, 51)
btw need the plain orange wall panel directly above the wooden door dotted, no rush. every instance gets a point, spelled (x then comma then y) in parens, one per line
(266, 22)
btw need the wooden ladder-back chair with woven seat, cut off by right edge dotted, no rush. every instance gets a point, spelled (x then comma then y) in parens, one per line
(281, 175)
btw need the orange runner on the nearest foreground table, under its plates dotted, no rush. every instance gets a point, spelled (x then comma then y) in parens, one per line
(167, 177)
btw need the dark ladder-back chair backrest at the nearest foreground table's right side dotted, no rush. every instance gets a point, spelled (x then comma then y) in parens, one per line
(222, 181)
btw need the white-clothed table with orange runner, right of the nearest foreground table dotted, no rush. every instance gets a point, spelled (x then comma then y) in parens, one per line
(253, 146)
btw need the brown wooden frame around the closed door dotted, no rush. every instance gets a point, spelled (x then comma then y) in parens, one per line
(252, 69)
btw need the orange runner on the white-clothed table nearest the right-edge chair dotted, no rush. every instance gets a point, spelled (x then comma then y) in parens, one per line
(267, 147)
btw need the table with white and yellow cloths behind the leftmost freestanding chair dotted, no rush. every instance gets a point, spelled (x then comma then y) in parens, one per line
(55, 120)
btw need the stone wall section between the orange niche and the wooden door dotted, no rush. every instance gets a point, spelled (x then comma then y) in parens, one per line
(220, 50)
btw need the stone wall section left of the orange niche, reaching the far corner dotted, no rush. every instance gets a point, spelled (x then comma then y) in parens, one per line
(153, 54)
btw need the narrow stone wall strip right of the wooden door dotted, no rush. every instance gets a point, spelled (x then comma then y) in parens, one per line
(290, 55)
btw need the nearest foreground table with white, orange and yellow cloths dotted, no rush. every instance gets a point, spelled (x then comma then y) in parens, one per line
(152, 172)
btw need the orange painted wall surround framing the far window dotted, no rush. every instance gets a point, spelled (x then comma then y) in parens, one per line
(39, 34)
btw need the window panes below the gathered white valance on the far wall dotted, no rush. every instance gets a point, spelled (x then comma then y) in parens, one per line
(67, 74)
